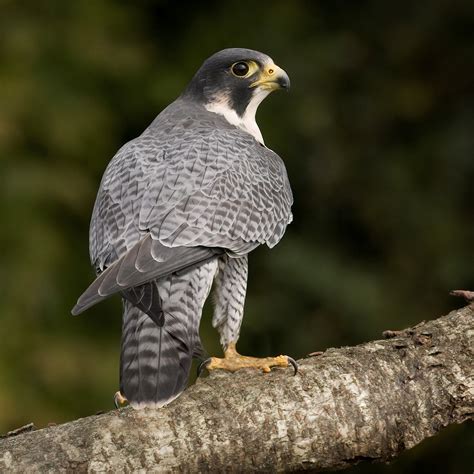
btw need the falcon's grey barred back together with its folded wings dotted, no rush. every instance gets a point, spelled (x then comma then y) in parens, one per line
(191, 180)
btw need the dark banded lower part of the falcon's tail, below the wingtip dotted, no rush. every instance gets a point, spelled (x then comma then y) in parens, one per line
(155, 360)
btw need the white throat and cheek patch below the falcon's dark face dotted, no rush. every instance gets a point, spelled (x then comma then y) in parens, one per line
(247, 122)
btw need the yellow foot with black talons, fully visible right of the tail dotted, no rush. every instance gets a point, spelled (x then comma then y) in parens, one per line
(234, 361)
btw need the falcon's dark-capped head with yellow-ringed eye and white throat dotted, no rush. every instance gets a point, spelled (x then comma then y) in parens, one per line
(233, 82)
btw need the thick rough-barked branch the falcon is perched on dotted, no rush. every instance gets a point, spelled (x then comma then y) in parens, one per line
(368, 402)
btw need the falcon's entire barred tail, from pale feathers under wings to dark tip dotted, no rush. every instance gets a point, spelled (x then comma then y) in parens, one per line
(160, 335)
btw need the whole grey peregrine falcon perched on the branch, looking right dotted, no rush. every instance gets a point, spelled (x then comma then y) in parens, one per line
(180, 208)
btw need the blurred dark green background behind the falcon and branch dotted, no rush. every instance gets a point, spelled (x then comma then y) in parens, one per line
(377, 135)
